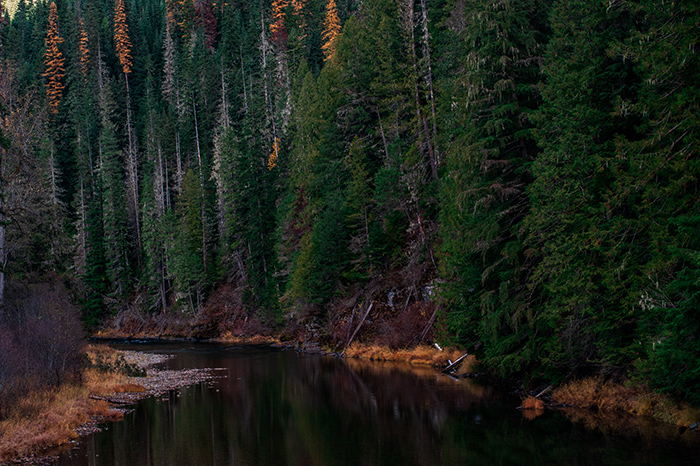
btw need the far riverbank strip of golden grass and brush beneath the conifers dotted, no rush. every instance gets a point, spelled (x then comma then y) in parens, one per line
(584, 398)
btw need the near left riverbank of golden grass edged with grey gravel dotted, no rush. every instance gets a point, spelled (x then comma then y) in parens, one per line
(46, 422)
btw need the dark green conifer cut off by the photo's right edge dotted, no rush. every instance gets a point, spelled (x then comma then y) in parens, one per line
(664, 170)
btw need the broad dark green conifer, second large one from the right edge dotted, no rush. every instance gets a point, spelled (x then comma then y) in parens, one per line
(582, 225)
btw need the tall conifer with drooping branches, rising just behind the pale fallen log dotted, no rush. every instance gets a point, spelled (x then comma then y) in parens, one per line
(492, 99)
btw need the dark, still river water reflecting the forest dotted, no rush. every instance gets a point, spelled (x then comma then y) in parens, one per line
(276, 407)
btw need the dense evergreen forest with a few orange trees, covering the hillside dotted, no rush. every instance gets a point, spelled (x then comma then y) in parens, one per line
(534, 161)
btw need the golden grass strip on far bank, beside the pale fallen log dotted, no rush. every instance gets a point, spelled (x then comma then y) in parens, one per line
(419, 355)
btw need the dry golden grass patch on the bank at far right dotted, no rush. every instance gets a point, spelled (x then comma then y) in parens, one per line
(608, 397)
